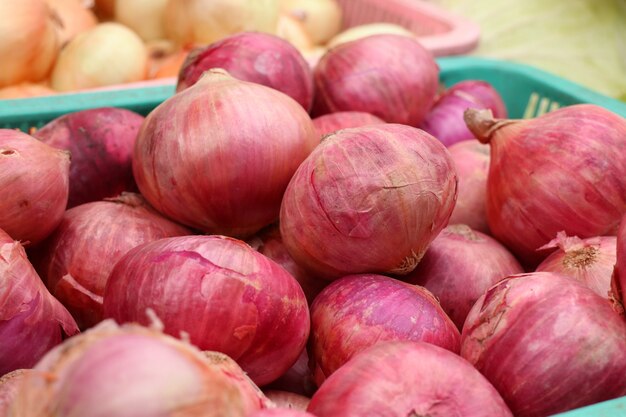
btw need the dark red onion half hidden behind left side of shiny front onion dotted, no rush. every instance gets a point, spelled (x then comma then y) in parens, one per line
(76, 260)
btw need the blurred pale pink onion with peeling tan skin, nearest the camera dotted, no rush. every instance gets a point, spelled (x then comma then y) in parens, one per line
(129, 371)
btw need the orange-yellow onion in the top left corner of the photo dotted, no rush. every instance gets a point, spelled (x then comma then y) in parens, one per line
(29, 42)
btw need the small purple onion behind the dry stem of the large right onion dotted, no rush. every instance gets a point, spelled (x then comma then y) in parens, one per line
(445, 119)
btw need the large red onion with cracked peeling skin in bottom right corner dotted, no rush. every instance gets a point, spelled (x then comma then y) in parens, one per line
(547, 343)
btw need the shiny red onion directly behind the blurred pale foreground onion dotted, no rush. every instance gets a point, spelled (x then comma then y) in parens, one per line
(225, 295)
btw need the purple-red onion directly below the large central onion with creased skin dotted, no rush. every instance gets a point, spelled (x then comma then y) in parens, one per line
(359, 311)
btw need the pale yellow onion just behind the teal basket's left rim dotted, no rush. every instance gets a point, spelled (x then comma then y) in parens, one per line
(108, 54)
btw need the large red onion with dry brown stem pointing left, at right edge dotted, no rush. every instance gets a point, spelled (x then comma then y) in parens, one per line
(563, 171)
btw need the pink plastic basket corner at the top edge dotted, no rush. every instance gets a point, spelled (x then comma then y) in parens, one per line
(439, 31)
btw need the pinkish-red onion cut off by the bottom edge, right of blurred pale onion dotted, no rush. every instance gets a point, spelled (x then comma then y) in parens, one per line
(407, 379)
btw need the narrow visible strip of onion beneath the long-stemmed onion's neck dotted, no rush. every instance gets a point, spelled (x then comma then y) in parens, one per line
(471, 159)
